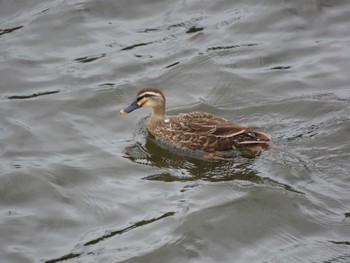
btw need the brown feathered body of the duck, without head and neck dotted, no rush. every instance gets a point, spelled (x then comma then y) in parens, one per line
(209, 132)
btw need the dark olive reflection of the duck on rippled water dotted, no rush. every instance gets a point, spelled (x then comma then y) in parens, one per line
(186, 166)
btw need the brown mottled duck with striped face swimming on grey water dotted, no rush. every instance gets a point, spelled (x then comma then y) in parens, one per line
(196, 131)
